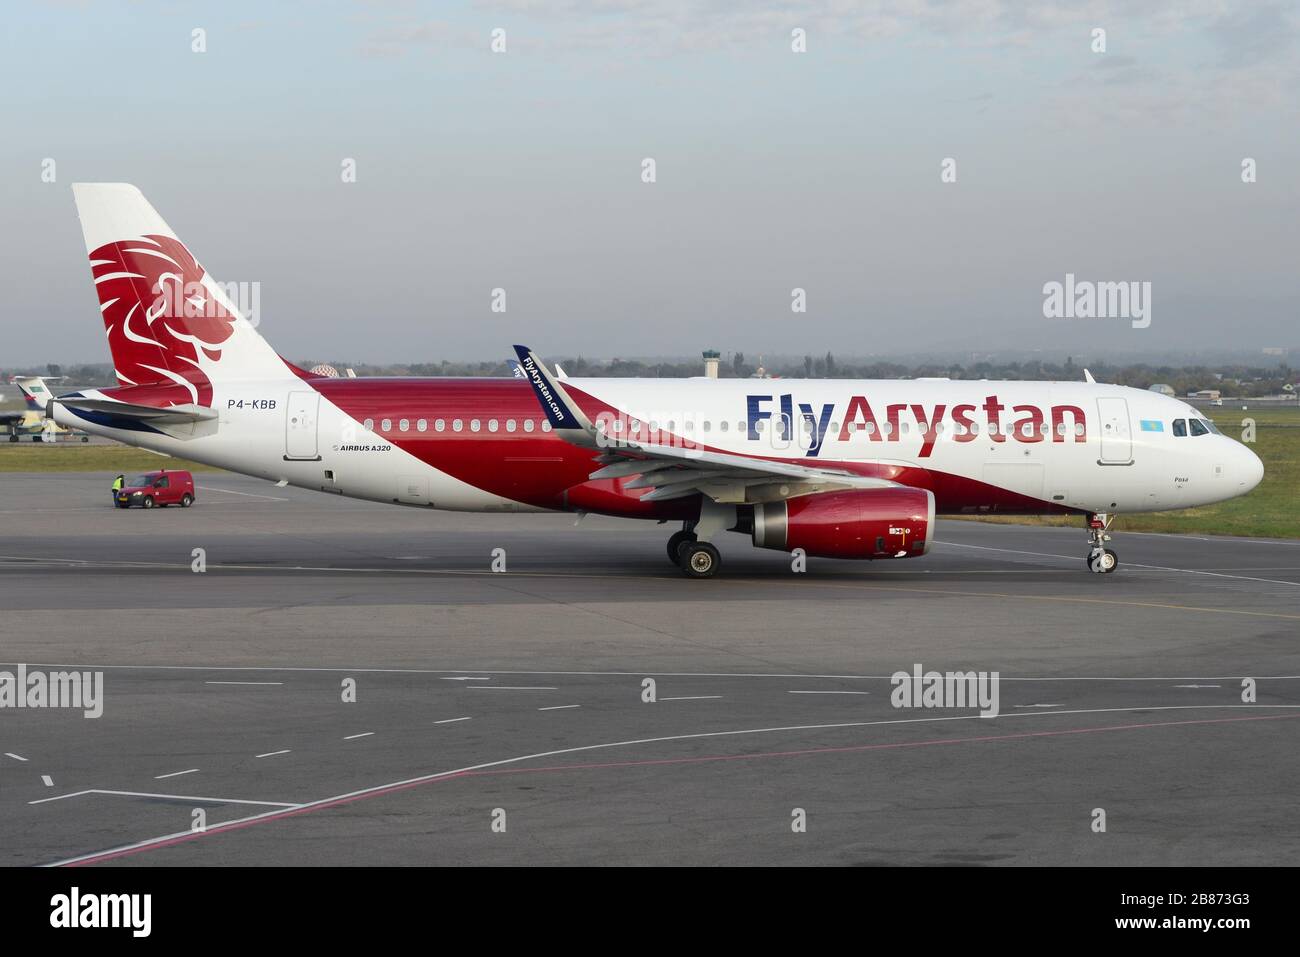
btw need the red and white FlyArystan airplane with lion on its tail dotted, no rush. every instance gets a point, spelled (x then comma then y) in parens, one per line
(839, 469)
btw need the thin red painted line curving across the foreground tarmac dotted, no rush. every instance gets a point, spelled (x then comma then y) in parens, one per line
(453, 776)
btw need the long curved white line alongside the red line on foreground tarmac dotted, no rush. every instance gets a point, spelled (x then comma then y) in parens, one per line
(440, 776)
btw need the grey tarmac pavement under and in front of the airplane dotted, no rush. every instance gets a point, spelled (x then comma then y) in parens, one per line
(504, 717)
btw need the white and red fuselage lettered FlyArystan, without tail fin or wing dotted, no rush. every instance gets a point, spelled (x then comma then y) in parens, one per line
(450, 444)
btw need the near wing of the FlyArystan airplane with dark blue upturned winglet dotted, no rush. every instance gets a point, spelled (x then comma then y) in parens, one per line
(673, 471)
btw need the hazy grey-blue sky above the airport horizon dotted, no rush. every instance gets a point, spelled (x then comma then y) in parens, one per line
(775, 171)
